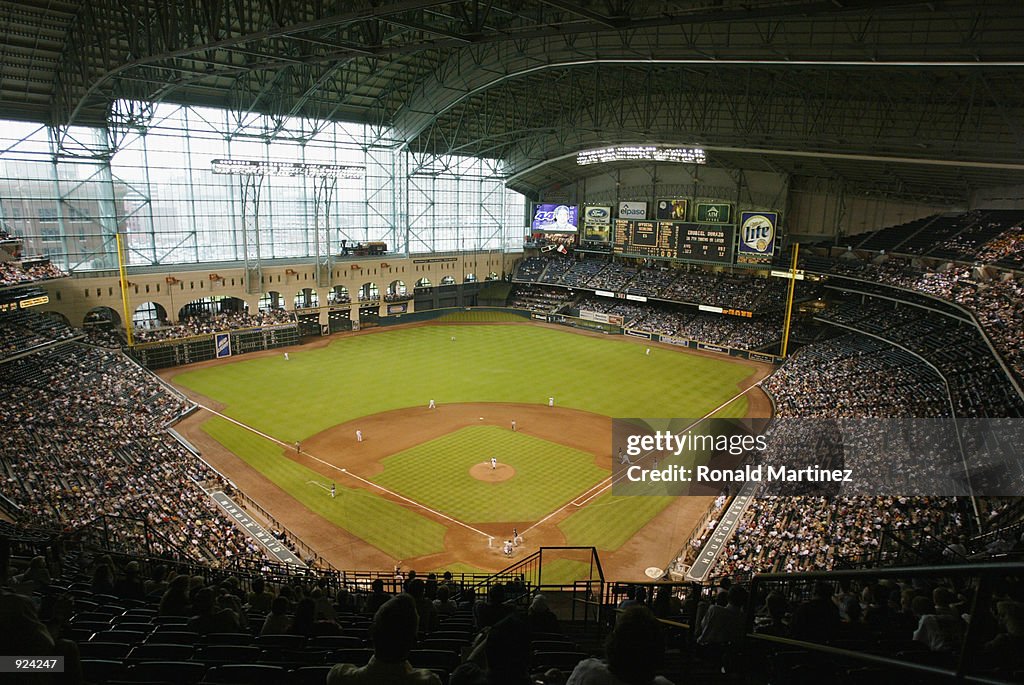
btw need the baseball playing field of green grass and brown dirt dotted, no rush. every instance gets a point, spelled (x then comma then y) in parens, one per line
(420, 487)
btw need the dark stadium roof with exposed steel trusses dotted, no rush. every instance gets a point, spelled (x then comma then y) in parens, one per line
(909, 100)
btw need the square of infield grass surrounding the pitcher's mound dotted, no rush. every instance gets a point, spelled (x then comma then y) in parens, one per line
(437, 474)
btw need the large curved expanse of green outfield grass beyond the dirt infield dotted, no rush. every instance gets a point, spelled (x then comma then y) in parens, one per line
(388, 370)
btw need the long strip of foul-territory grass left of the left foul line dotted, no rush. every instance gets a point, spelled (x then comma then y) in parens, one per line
(389, 527)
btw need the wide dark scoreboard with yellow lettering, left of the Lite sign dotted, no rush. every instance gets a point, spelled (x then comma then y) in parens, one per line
(670, 240)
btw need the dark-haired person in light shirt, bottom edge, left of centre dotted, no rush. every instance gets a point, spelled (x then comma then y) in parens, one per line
(394, 635)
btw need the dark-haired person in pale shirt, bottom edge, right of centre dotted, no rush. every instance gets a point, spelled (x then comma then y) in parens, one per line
(634, 654)
